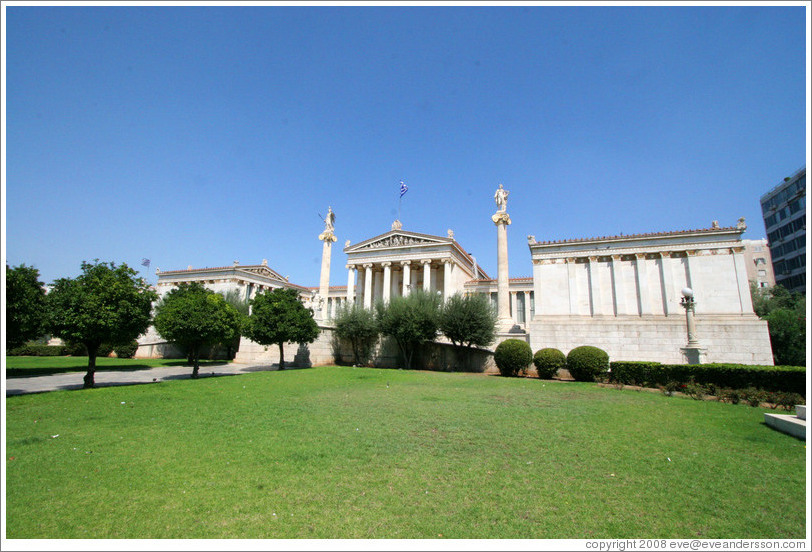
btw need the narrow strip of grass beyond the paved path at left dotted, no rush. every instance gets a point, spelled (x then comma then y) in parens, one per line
(25, 366)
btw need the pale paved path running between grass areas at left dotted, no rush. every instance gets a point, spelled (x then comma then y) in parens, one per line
(107, 378)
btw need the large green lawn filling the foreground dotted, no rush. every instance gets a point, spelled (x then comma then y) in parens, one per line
(367, 453)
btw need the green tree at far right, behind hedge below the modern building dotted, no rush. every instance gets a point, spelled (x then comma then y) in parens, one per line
(785, 313)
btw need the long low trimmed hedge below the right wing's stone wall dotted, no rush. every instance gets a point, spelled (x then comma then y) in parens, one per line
(790, 379)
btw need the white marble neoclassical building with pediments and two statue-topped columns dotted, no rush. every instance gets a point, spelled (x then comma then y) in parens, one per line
(623, 294)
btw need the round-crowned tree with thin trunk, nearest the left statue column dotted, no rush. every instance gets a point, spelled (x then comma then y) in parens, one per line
(278, 317)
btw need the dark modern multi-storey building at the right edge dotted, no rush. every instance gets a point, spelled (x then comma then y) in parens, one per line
(784, 211)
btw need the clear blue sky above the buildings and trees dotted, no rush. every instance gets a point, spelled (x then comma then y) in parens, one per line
(203, 135)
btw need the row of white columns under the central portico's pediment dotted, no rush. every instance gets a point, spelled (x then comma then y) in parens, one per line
(407, 279)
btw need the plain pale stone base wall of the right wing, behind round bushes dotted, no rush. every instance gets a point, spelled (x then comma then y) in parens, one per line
(734, 339)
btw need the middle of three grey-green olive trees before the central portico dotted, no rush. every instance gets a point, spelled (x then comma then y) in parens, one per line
(411, 321)
